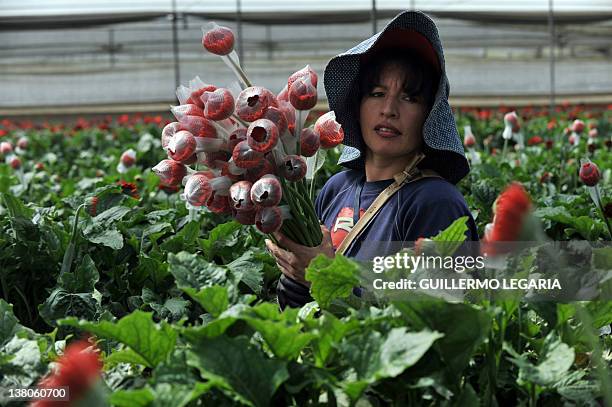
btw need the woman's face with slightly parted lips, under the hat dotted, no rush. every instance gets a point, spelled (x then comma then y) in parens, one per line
(391, 120)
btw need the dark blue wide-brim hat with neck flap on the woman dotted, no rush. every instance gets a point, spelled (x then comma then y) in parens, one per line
(414, 31)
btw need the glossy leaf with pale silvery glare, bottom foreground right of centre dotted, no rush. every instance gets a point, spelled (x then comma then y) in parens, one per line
(374, 357)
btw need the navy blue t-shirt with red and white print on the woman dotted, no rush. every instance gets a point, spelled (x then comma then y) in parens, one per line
(420, 208)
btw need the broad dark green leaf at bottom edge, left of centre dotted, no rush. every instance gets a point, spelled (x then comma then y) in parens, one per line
(240, 370)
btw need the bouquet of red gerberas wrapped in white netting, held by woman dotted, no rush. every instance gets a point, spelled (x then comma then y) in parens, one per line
(245, 153)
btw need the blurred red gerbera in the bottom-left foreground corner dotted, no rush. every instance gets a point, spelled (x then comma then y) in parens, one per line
(78, 369)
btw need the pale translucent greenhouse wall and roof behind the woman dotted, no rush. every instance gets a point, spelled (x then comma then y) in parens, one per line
(56, 53)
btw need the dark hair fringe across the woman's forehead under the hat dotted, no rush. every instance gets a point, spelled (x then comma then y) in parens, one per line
(419, 80)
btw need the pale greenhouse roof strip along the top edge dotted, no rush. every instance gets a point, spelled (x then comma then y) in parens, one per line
(33, 14)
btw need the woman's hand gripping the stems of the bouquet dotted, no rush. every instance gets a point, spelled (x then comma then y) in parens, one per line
(293, 261)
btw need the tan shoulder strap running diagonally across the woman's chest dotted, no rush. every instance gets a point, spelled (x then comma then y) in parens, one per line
(410, 174)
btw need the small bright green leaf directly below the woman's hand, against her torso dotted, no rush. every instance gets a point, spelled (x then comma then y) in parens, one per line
(331, 278)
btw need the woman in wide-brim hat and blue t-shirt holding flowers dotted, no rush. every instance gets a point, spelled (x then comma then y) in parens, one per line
(402, 149)
